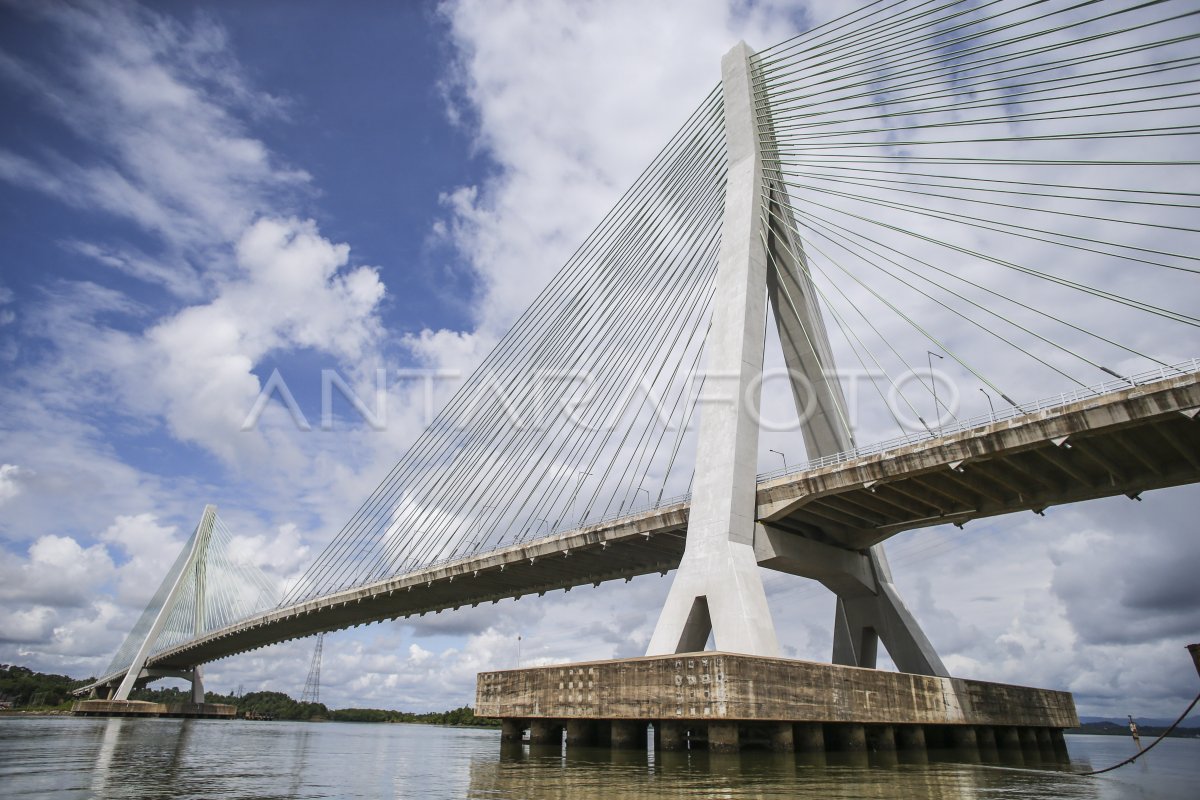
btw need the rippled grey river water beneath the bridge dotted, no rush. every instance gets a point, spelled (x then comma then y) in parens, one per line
(68, 757)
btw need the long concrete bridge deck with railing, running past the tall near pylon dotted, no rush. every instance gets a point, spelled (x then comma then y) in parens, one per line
(1121, 443)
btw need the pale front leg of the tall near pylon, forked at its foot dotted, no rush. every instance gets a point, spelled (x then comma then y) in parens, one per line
(718, 587)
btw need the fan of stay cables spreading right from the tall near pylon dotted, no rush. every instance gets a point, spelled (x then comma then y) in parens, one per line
(1009, 187)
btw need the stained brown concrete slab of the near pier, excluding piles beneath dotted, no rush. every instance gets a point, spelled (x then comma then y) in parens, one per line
(730, 687)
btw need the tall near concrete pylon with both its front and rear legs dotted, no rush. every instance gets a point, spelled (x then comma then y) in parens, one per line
(718, 590)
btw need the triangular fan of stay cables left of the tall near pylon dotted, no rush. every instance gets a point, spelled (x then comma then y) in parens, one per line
(581, 411)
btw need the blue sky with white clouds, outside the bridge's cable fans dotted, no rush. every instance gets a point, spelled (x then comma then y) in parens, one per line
(196, 195)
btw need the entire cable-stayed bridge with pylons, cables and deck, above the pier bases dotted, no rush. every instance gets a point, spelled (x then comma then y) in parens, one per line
(1007, 189)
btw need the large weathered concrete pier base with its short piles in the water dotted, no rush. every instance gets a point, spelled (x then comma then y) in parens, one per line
(728, 702)
